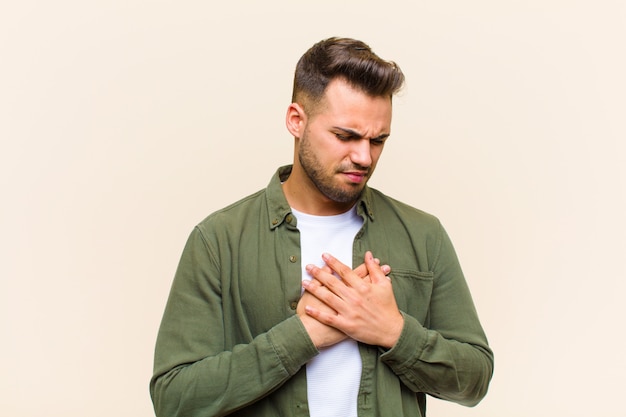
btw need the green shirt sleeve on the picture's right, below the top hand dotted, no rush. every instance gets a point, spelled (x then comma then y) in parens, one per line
(450, 359)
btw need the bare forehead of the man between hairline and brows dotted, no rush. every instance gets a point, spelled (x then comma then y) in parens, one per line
(350, 107)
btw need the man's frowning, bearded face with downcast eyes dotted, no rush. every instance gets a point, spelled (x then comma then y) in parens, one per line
(343, 140)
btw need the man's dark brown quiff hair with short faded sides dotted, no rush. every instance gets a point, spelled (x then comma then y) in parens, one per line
(349, 59)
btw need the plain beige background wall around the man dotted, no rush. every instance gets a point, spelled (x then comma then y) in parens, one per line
(124, 122)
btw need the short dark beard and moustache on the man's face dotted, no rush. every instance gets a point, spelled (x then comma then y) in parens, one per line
(326, 181)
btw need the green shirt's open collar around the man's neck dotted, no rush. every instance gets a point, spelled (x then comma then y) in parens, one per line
(279, 209)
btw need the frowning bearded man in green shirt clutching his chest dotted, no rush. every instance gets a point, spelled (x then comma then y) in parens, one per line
(279, 307)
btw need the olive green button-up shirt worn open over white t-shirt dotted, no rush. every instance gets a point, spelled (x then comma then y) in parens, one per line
(230, 342)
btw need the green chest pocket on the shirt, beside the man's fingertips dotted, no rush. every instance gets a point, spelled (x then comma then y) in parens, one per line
(413, 290)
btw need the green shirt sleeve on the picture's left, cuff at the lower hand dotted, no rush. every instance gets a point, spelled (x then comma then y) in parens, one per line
(195, 372)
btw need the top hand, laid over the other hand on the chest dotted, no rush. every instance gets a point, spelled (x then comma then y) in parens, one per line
(361, 306)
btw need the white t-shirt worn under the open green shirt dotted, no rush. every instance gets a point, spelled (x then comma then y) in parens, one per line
(333, 376)
